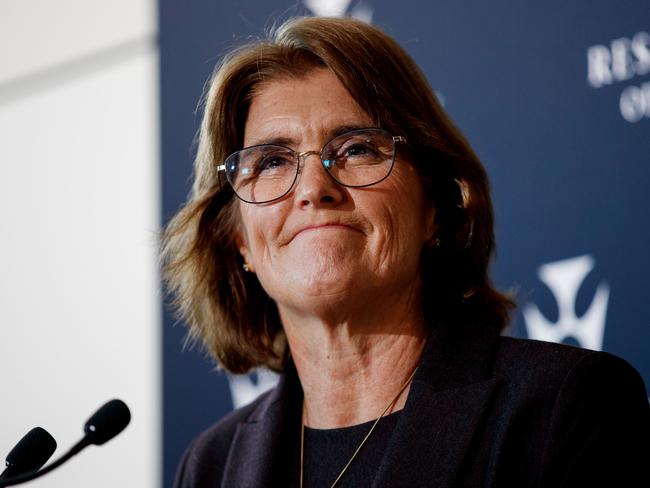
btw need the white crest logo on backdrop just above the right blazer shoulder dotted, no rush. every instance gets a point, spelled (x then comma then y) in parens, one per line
(564, 279)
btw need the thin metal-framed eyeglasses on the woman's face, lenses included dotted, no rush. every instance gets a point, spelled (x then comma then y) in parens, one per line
(267, 172)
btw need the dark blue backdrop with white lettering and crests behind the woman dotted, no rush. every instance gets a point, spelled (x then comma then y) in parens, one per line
(568, 157)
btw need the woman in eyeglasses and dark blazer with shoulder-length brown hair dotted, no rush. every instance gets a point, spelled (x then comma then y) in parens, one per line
(340, 231)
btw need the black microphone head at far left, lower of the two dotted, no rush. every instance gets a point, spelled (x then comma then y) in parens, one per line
(31, 452)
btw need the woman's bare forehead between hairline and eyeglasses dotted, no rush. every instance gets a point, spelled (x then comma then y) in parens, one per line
(310, 107)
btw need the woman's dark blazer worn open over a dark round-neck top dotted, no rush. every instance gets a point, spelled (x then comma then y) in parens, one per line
(482, 411)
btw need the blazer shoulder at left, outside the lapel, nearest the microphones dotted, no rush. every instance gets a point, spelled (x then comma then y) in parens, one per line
(203, 461)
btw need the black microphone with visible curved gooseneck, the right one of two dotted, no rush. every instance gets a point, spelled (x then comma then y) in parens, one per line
(102, 426)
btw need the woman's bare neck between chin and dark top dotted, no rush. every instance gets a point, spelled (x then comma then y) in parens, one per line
(352, 370)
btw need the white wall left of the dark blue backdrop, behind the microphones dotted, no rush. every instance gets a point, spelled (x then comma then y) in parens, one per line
(79, 213)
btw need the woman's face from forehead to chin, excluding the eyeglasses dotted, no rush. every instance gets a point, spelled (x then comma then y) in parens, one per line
(323, 245)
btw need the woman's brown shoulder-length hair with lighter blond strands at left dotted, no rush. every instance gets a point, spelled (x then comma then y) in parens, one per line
(226, 308)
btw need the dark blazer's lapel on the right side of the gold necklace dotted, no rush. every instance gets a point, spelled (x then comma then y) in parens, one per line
(446, 402)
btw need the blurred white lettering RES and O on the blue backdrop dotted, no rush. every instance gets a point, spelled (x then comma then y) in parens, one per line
(622, 60)
